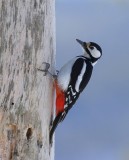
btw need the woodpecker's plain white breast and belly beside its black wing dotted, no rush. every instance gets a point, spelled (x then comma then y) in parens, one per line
(64, 75)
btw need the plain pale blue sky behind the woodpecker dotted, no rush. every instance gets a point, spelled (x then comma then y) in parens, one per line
(97, 127)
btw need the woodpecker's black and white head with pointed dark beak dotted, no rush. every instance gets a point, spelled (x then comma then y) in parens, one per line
(92, 51)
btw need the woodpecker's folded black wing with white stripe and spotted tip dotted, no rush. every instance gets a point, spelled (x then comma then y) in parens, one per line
(80, 75)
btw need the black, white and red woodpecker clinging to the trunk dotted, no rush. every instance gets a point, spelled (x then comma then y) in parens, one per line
(71, 80)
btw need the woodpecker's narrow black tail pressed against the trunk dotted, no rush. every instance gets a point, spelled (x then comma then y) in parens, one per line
(54, 125)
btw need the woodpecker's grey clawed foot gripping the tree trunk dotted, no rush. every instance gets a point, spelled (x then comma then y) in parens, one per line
(46, 71)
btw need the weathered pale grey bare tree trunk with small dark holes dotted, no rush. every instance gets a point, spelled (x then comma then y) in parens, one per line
(27, 38)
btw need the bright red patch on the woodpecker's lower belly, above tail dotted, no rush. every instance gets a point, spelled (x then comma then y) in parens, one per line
(60, 99)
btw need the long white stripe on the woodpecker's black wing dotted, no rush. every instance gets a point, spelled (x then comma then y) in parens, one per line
(80, 77)
